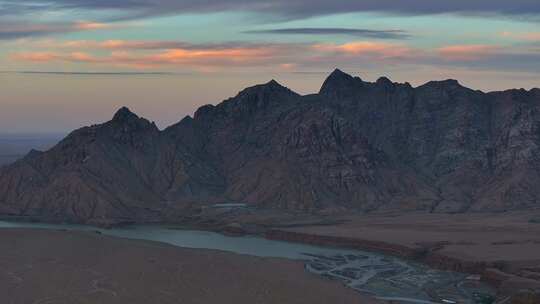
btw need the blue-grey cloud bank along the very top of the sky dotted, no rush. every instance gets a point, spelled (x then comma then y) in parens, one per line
(281, 8)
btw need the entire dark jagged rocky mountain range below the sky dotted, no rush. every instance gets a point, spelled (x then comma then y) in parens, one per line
(355, 145)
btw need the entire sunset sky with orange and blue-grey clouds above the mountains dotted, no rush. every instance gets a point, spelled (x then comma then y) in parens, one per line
(69, 63)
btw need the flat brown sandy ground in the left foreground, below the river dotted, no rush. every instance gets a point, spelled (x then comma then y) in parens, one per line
(60, 267)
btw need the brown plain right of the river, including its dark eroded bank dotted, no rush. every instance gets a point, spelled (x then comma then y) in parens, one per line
(503, 248)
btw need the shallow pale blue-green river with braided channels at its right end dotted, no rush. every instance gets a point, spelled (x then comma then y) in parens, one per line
(368, 273)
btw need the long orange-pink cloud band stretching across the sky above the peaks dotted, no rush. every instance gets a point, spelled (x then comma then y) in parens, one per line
(288, 56)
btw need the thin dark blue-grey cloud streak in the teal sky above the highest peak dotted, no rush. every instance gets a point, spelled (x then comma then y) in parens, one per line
(365, 33)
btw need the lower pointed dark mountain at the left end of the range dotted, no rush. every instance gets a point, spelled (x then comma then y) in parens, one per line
(121, 169)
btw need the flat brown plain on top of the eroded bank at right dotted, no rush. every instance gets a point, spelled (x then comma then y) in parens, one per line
(474, 237)
